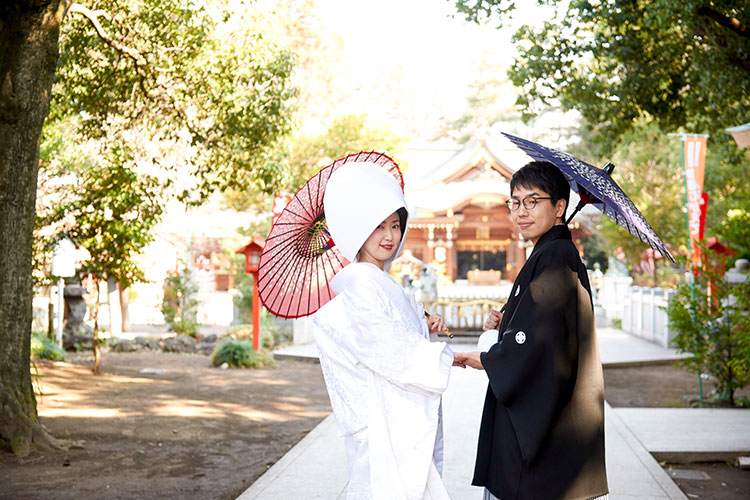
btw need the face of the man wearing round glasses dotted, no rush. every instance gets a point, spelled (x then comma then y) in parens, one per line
(533, 223)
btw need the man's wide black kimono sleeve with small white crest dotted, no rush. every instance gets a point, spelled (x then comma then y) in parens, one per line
(532, 368)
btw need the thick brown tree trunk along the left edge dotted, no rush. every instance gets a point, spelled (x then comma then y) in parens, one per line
(29, 32)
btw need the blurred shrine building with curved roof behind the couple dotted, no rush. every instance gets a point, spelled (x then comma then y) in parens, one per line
(459, 220)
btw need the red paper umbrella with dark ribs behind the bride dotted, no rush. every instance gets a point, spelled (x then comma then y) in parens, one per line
(300, 258)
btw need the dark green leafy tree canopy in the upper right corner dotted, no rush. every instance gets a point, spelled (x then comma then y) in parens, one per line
(686, 64)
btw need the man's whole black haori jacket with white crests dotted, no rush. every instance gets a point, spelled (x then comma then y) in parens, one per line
(542, 432)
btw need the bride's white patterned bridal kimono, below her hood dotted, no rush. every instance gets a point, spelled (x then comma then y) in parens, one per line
(385, 378)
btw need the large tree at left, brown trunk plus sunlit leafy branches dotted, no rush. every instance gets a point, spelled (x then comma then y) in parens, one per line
(148, 66)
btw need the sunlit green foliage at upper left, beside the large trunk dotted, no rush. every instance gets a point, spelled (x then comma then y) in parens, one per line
(194, 79)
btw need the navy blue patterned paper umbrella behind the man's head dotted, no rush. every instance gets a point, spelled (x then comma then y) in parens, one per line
(595, 186)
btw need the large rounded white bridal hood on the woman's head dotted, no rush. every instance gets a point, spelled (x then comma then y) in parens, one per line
(359, 196)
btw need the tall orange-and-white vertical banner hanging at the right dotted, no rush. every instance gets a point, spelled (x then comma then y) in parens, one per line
(694, 151)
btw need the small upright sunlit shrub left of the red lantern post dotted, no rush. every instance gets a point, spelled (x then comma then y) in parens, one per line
(179, 303)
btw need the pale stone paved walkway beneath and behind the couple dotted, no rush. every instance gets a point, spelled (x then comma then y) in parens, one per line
(316, 467)
